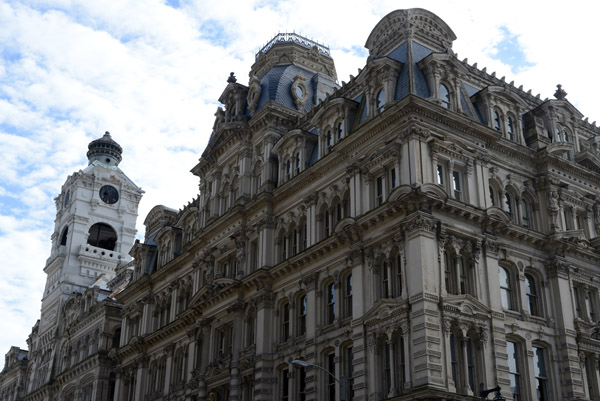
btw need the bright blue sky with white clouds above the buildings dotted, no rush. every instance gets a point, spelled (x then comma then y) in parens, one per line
(151, 71)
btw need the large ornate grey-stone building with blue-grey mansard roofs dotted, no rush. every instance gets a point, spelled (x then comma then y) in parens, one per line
(418, 232)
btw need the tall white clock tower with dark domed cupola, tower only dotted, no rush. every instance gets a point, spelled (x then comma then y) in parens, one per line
(94, 228)
